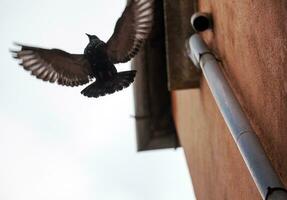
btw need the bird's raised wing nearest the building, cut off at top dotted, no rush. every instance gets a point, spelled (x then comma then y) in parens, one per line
(131, 30)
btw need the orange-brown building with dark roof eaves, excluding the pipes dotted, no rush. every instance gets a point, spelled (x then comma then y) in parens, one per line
(250, 38)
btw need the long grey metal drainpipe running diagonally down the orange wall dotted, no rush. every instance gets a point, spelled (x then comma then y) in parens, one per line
(259, 166)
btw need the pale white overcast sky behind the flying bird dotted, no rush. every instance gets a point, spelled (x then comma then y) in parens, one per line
(57, 144)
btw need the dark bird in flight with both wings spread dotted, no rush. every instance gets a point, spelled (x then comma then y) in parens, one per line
(97, 63)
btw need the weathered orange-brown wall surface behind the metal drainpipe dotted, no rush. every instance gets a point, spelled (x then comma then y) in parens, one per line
(251, 39)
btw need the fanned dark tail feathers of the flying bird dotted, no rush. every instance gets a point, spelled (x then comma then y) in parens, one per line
(100, 88)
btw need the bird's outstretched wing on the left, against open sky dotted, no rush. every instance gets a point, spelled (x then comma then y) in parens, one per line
(54, 65)
